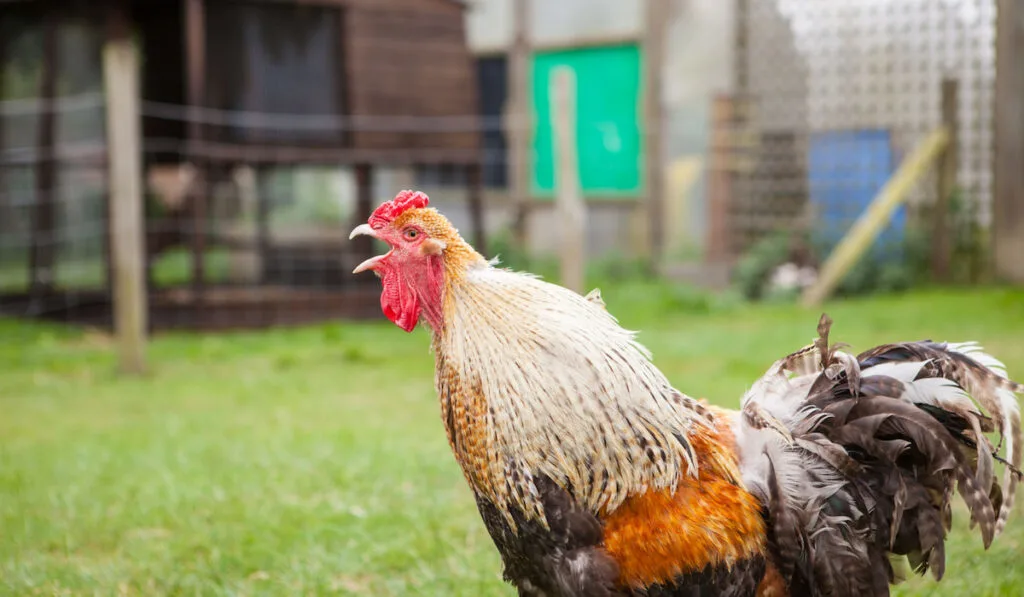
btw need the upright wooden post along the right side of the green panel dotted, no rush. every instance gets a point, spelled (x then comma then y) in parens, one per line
(654, 52)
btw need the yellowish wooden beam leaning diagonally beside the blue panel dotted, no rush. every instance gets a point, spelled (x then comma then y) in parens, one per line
(868, 227)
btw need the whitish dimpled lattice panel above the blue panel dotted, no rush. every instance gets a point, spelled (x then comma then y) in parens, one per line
(840, 65)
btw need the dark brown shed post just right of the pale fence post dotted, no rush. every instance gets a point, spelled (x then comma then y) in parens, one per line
(195, 34)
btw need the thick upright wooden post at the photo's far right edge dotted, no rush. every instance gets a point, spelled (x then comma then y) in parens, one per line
(1008, 200)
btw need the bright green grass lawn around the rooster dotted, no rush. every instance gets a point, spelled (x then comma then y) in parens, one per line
(313, 461)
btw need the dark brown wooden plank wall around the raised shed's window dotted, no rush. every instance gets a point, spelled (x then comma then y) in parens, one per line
(396, 59)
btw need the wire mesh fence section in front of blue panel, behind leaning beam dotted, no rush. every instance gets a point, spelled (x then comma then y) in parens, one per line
(832, 95)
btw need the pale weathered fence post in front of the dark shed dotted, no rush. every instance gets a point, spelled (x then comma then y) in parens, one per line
(121, 81)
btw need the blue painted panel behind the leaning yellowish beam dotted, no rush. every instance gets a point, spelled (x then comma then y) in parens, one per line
(846, 170)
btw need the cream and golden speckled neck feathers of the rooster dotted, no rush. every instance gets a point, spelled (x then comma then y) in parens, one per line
(535, 378)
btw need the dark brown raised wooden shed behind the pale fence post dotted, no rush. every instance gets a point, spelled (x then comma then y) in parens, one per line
(252, 87)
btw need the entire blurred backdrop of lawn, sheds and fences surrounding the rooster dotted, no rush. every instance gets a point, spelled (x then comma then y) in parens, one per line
(719, 152)
